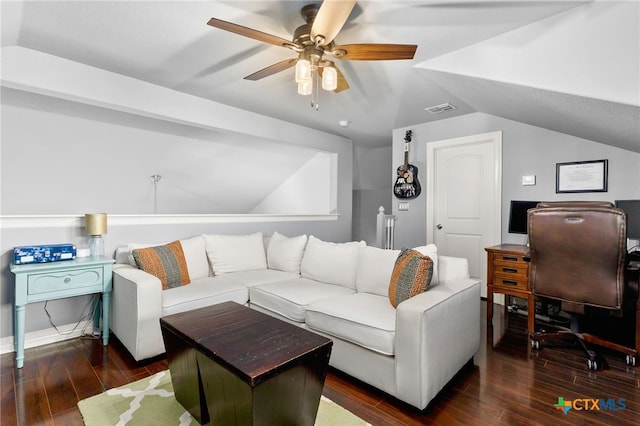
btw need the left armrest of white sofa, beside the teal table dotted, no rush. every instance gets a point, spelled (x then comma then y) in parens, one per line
(136, 307)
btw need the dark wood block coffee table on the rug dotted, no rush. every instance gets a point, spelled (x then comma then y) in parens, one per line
(233, 365)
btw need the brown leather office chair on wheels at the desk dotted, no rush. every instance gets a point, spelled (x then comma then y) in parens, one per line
(578, 259)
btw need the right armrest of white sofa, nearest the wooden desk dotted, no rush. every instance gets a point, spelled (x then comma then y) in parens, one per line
(437, 333)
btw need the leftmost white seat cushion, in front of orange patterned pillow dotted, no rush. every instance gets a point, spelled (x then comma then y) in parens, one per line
(203, 292)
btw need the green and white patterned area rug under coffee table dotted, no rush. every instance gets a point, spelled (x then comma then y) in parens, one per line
(151, 402)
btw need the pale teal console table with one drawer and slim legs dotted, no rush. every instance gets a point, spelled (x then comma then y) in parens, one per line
(39, 282)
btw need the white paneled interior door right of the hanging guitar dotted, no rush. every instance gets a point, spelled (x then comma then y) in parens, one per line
(464, 198)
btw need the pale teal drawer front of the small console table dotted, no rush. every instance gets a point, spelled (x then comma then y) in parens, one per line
(62, 281)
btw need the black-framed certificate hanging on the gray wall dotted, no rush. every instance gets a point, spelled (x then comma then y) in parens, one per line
(582, 176)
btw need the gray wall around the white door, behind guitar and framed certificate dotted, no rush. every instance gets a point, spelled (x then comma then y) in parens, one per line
(527, 150)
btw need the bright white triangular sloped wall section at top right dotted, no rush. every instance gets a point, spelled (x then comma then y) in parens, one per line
(557, 54)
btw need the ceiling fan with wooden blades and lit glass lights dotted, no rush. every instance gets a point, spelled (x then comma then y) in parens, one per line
(313, 42)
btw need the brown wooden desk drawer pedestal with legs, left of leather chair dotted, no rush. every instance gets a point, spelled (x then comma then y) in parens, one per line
(508, 273)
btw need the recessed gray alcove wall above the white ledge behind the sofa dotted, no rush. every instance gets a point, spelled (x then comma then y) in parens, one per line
(109, 157)
